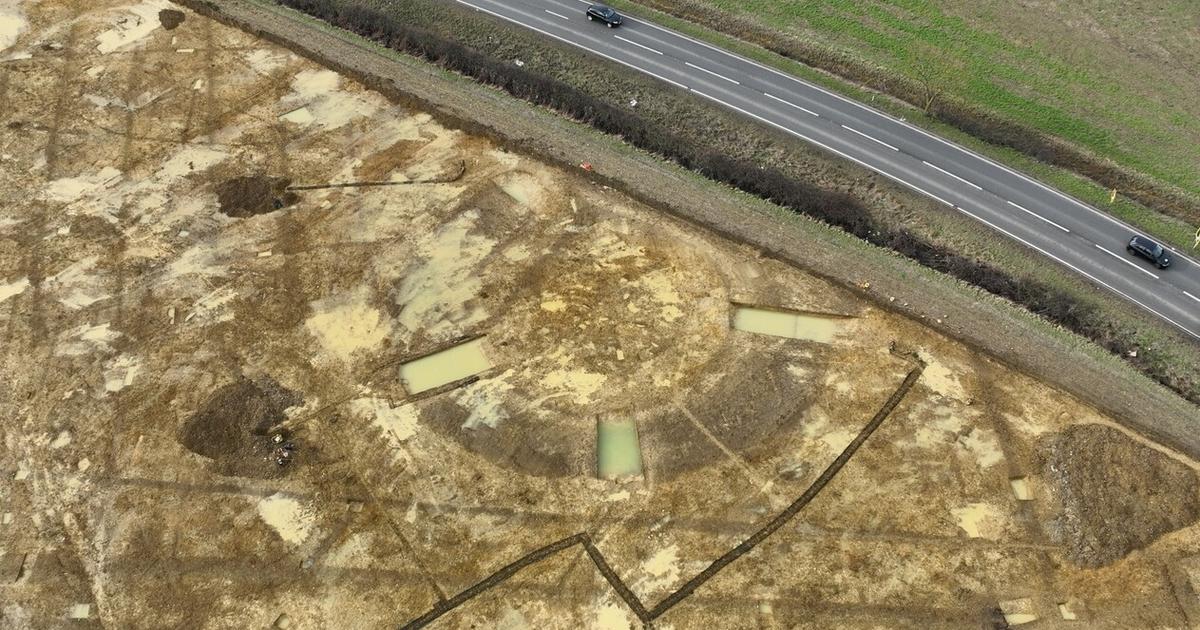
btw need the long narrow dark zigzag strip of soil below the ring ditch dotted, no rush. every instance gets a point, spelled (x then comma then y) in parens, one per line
(631, 599)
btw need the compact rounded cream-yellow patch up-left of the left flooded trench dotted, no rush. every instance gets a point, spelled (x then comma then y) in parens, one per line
(347, 325)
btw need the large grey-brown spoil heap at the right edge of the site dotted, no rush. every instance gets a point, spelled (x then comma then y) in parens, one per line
(1118, 496)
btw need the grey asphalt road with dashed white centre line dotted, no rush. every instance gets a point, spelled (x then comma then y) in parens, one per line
(1065, 230)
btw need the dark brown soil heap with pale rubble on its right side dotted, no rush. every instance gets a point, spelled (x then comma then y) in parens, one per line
(233, 428)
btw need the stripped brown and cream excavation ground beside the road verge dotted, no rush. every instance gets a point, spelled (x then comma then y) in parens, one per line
(217, 257)
